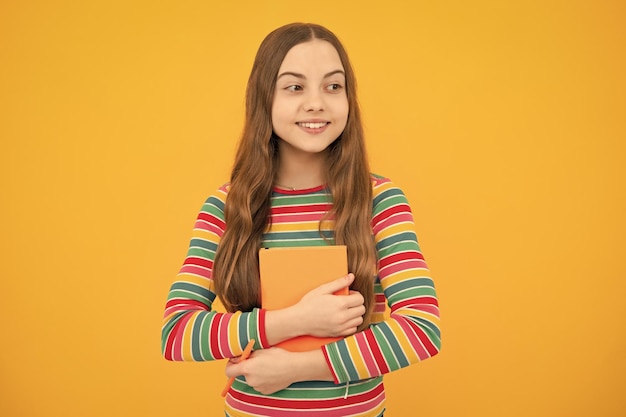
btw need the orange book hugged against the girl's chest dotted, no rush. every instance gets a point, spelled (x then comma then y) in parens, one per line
(287, 274)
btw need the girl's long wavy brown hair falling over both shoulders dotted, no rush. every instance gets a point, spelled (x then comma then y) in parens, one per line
(247, 208)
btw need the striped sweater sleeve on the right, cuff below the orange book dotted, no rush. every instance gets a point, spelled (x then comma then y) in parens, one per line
(411, 333)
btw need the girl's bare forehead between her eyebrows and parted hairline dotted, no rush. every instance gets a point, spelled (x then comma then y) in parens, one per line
(312, 55)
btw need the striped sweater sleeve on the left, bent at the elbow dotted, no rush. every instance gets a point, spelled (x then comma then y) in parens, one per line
(191, 330)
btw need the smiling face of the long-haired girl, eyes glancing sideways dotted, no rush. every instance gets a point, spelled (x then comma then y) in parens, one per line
(310, 108)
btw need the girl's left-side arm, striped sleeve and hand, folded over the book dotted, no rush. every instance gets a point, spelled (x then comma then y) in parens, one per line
(192, 331)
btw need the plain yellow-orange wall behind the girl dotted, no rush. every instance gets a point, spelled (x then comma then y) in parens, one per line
(504, 122)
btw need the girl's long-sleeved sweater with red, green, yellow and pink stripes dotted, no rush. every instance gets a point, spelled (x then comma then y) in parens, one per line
(192, 331)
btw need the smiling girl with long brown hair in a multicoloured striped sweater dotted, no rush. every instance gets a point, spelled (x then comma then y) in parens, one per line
(301, 178)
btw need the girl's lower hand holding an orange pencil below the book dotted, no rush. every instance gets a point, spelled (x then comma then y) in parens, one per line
(267, 370)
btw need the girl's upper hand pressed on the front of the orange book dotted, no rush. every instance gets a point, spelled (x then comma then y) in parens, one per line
(323, 314)
